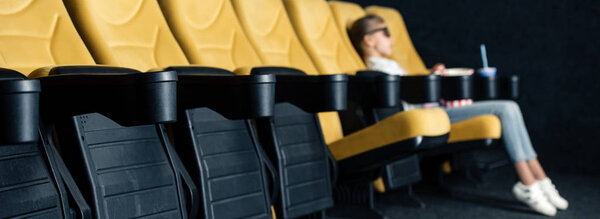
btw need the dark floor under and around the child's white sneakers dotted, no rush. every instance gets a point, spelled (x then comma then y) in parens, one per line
(494, 199)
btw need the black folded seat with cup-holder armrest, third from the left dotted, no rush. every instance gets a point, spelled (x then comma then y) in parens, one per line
(217, 141)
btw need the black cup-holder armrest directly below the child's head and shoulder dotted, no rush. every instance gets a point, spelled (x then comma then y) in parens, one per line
(374, 89)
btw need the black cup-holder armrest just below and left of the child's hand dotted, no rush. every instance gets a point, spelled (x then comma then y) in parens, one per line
(421, 88)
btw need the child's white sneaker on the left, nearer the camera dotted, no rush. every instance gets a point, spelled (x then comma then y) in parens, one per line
(533, 196)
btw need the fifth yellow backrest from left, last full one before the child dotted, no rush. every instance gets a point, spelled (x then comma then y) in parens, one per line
(318, 32)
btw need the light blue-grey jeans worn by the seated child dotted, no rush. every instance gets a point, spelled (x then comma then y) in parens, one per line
(514, 133)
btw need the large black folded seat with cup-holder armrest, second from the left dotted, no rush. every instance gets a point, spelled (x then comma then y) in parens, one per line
(124, 164)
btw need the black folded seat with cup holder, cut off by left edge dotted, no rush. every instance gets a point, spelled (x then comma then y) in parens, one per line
(27, 185)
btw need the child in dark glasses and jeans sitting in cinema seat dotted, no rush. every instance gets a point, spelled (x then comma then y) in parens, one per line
(371, 38)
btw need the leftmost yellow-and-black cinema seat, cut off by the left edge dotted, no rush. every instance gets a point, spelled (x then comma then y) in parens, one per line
(31, 182)
